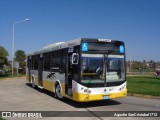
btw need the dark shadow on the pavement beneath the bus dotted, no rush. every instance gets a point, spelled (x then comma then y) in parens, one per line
(78, 104)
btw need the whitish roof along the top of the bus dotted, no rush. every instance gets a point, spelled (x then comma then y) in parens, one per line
(61, 45)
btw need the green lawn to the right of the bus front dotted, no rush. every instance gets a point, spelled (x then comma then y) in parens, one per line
(143, 85)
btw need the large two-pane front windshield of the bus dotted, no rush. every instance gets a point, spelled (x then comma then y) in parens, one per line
(102, 68)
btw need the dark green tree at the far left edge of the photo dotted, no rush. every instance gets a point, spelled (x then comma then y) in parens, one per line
(3, 57)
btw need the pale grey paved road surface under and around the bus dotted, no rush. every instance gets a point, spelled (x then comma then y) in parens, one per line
(18, 95)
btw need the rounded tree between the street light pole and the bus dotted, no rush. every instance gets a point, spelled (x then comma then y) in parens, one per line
(20, 57)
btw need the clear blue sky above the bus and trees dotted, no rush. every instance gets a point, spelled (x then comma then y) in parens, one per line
(136, 22)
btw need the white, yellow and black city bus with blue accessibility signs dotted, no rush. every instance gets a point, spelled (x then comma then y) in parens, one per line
(83, 69)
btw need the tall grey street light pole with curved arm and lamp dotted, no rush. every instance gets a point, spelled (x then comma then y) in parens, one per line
(13, 43)
